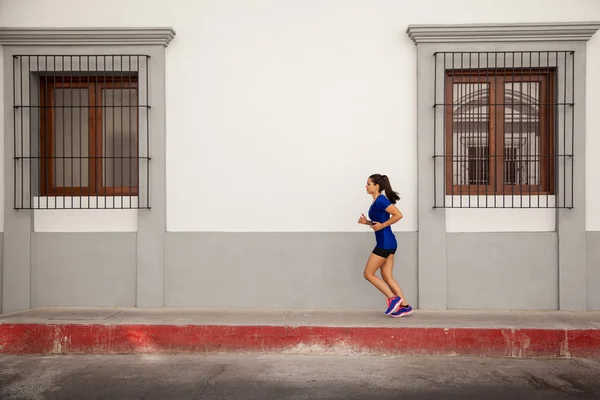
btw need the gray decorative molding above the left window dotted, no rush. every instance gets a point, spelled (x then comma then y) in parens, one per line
(86, 36)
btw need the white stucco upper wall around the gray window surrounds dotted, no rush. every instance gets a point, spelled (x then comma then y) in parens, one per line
(277, 111)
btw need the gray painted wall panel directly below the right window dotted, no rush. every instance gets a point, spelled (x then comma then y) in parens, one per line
(502, 270)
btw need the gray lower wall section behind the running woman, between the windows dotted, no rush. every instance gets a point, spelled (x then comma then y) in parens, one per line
(280, 270)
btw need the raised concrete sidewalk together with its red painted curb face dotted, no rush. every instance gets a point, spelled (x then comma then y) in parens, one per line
(61, 330)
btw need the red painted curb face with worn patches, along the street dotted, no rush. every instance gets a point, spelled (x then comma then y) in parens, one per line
(130, 339)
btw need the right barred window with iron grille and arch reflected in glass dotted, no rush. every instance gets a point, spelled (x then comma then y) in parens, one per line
(505, 130)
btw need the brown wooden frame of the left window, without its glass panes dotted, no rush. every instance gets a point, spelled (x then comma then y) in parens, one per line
(94, 85)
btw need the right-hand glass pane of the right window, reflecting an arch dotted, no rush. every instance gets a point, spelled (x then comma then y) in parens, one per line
(521, 133)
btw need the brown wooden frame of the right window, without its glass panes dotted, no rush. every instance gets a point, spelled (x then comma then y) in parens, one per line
(496, 80)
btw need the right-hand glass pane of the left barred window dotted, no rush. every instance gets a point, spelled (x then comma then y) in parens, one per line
(119, 137)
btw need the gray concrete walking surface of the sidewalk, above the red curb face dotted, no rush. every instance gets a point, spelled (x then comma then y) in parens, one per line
(306, 317)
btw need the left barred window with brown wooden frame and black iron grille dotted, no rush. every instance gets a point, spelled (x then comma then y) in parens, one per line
(81, 131)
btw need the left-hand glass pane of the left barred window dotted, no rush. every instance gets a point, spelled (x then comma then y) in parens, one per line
(71, 137)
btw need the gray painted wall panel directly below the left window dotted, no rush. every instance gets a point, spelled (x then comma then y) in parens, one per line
(83, 269)
